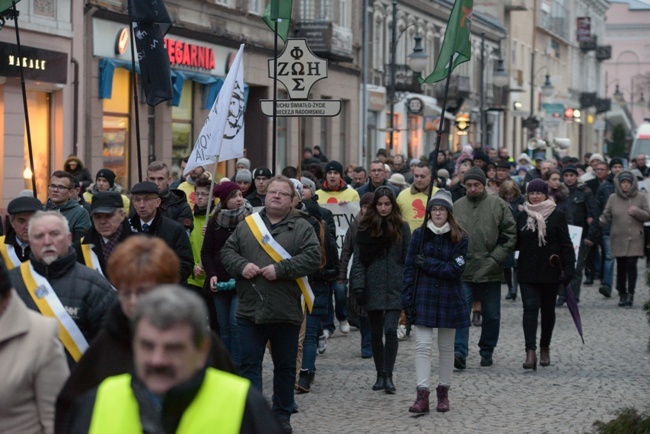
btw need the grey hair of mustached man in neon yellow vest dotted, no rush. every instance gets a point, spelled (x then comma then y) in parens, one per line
(169, 305)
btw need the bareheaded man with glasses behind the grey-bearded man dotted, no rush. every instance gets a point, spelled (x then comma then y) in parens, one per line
(61, 184)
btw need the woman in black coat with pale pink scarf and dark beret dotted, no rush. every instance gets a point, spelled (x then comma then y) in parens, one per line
(542, 231)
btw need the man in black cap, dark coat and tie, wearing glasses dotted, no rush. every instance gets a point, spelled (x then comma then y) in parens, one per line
(150, 220)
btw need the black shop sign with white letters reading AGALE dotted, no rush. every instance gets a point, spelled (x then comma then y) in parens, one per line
(38, 64)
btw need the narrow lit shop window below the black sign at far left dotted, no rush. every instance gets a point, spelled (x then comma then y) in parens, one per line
(38, 105)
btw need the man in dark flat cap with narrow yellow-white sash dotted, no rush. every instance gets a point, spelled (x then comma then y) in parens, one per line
(110, 227)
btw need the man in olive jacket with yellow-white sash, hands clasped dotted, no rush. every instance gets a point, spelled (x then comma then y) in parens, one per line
(269, 256)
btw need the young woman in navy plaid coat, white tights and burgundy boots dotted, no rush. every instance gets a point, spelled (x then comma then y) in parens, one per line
(439, 298)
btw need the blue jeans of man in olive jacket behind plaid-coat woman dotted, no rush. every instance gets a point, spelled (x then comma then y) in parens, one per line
(489, 294)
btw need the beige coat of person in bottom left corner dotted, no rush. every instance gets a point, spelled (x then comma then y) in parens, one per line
(33, 367)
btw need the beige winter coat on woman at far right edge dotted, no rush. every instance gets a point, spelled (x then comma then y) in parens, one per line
(627, 229)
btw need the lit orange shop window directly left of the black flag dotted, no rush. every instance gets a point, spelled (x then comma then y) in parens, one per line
(116, 127)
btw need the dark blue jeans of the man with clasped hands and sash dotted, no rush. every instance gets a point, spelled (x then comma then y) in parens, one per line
(284, 344)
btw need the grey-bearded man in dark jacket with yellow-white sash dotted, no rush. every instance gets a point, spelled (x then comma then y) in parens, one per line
(53, 283)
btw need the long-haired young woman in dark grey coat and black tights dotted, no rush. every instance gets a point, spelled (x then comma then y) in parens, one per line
(376, 278)
